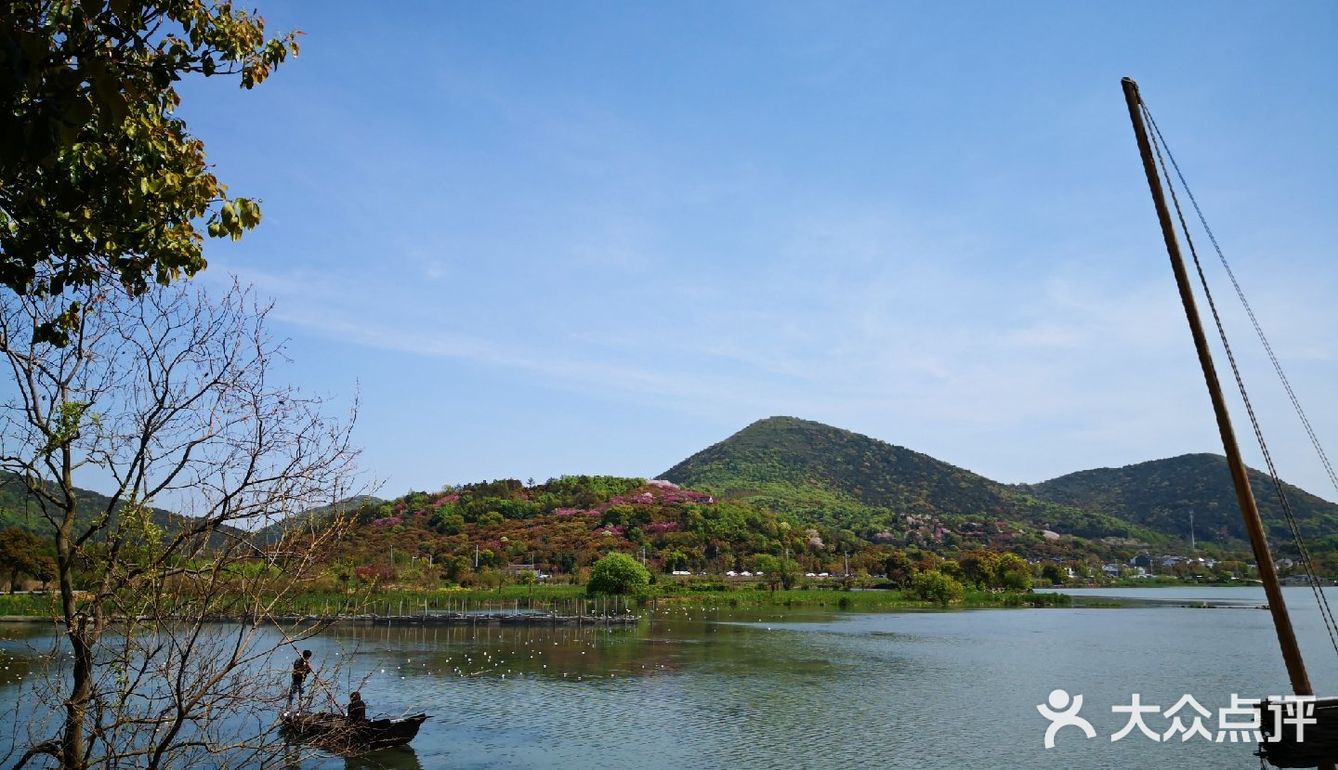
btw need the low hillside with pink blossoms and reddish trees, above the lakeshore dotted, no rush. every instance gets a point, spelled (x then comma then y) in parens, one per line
(567, 524)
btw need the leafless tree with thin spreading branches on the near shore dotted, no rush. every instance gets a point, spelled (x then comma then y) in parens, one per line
(167, 621)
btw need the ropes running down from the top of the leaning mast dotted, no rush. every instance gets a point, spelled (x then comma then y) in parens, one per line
(1308, 564)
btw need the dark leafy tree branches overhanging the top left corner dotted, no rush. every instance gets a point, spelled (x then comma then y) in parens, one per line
(100, 177)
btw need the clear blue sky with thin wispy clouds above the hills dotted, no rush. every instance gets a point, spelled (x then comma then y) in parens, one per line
(596, 238)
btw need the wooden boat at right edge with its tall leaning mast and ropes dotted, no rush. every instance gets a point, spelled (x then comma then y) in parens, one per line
(1285, 744)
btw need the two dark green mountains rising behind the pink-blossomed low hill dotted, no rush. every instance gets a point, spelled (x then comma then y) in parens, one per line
(837, 476)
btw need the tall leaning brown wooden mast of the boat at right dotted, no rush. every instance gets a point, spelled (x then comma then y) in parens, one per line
(1245, 496)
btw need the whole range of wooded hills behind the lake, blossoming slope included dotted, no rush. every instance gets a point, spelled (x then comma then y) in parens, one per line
(782, 487)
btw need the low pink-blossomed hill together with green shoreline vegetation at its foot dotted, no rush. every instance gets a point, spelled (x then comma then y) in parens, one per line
(521, 540)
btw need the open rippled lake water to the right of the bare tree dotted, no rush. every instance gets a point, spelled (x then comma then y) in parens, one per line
(803, 689)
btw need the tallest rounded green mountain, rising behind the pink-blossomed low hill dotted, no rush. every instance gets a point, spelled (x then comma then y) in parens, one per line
(817, 475)
